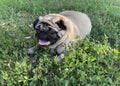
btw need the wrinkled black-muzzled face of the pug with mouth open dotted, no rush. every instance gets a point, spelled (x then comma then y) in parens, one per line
(47, 31)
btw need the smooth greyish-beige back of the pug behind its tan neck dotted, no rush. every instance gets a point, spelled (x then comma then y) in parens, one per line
(81, 20)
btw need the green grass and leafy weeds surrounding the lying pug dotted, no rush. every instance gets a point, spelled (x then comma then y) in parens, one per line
(92, 62)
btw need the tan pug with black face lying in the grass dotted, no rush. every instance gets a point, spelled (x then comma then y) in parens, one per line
(58, 30)
